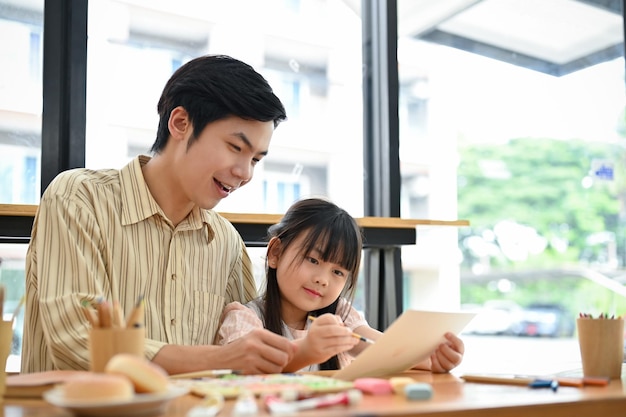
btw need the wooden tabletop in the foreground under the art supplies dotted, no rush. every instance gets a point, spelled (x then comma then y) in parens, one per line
(452, 397)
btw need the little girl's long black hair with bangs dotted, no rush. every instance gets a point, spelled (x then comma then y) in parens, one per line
(329, 229)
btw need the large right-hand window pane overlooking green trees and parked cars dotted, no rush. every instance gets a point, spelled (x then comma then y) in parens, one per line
(512, 117)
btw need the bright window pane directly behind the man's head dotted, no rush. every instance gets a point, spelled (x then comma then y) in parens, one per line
(309, 50)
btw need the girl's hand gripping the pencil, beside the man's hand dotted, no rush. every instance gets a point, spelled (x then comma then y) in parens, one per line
(327, 337)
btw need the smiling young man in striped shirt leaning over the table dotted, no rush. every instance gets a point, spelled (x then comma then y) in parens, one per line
(148, 230)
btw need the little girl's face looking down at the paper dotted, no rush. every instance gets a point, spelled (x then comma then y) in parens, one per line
(306, 282)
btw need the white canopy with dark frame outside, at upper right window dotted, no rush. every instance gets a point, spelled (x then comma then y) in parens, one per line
(555, 37)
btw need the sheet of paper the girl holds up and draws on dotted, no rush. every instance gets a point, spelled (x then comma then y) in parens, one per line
(411, 338)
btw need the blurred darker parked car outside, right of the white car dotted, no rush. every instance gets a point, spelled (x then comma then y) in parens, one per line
(547, 320)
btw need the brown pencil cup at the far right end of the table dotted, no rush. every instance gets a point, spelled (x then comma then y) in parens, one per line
(601, 343)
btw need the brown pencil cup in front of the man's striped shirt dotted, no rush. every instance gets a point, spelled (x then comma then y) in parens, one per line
(104, 343)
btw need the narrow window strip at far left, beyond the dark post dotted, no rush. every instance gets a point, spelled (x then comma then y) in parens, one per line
(21, 45)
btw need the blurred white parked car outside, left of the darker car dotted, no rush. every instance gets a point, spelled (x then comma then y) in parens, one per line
(495, 317)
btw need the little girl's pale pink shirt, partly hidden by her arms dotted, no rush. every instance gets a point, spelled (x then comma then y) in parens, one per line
(239, 320)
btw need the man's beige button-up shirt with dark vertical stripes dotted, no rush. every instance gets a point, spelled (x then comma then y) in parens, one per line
(101, 234)
